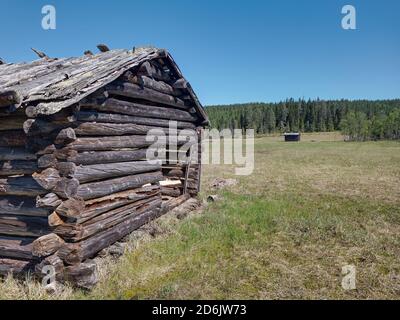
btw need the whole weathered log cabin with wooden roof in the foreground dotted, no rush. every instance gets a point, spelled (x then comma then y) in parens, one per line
(75, 173)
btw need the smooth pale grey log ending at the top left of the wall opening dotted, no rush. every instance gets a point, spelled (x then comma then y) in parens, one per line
(96, 172)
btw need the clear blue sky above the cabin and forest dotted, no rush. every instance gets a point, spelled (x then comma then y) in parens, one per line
(231, 51)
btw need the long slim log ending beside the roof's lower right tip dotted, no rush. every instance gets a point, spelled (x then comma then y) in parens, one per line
(95, 116)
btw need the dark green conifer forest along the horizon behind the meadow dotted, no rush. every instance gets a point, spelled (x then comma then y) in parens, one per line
(358, 120)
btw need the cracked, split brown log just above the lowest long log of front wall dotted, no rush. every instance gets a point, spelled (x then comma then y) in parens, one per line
(78, 232)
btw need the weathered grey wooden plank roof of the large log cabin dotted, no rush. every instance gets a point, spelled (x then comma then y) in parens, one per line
(51, 85)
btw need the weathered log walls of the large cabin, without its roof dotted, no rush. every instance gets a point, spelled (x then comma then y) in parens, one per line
(73, 183)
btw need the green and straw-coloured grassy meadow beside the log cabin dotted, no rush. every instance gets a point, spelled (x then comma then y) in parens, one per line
(285, 232)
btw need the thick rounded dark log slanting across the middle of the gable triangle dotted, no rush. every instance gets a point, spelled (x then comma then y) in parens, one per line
(134, 91)
